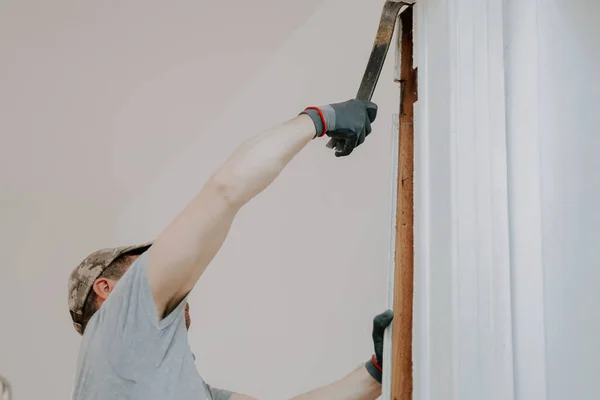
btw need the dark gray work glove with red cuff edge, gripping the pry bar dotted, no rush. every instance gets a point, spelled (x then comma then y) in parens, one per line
(347, 123)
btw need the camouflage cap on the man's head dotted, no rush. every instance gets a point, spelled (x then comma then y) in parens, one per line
(83, 277)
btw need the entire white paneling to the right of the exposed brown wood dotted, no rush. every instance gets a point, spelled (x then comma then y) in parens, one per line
(508, 111)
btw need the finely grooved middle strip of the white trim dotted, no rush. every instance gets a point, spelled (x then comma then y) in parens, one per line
(481, 262)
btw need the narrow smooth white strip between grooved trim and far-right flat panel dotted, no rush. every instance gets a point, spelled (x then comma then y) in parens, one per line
(523, 140)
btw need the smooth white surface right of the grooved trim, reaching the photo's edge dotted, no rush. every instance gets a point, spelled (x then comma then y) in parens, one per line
(554, 97)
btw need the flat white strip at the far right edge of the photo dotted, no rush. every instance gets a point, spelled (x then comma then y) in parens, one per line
(569, 119)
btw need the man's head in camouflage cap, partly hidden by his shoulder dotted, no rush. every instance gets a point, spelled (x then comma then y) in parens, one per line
(95, 278)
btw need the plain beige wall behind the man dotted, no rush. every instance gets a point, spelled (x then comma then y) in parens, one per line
(115, 116)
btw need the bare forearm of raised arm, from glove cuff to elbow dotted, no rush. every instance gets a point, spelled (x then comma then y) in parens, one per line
(257, 162)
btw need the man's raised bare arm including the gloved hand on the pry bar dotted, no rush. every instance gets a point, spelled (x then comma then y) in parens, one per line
(184, 249)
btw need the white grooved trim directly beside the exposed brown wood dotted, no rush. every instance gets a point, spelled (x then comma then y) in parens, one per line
(467, 149)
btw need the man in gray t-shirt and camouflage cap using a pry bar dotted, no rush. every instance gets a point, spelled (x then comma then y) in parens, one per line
(130, 303)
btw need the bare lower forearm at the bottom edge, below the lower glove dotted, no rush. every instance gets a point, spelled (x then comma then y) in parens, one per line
(358, 385)
